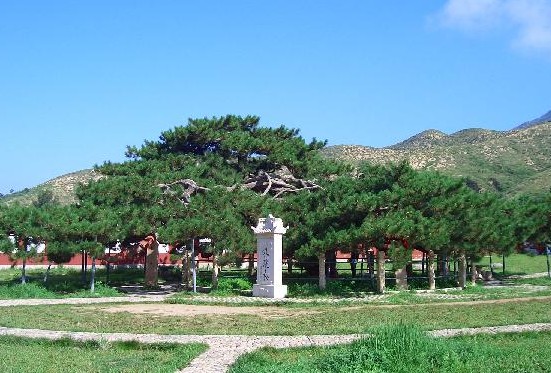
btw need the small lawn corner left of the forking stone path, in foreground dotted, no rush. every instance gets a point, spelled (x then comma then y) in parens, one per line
(20, 355)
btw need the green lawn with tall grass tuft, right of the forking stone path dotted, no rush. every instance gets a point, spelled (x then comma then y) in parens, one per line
(407, 349)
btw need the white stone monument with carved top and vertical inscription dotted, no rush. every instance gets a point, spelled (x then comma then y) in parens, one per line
(269, 236)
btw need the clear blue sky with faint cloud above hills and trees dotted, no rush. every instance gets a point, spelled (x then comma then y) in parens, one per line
(80, 80)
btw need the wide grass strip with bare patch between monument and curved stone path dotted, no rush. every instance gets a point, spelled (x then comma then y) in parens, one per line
(279, 319)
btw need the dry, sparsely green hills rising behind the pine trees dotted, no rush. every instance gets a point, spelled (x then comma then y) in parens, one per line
(508, 162)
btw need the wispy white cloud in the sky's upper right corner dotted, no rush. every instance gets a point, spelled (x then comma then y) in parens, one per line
(530, 20)
